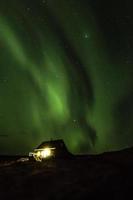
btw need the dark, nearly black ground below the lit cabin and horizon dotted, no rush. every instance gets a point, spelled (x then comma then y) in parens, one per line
(106, 176)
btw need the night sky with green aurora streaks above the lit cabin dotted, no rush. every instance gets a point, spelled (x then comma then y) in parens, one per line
(66, 69)
